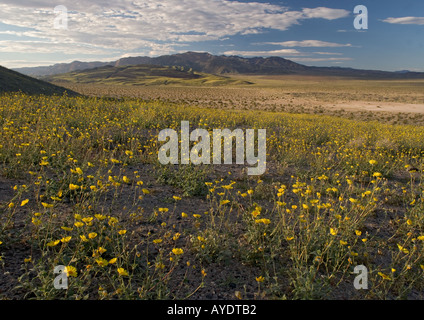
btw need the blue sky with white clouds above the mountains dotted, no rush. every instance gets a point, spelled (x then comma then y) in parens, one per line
(311, 32)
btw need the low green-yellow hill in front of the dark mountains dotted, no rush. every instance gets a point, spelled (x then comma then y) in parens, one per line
(142, 75)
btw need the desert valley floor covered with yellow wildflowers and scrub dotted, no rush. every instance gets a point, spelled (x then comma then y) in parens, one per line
(81, 186)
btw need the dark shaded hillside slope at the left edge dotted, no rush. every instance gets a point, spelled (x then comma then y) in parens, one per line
(12, 81)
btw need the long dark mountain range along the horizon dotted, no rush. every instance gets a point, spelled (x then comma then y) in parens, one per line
(221, 65)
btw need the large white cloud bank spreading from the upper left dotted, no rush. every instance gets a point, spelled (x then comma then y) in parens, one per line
(153, 26)
